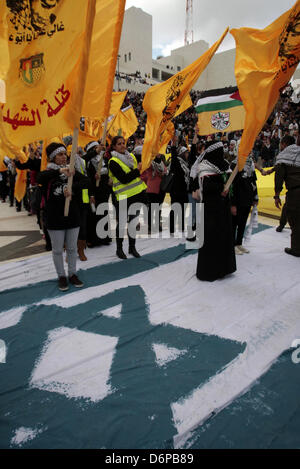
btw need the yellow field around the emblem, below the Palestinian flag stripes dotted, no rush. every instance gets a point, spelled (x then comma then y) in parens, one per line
(236, 118)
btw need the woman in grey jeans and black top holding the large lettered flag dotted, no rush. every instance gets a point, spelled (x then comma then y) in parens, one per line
(62, 230)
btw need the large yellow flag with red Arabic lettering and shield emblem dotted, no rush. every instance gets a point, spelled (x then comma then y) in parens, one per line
(48, 43)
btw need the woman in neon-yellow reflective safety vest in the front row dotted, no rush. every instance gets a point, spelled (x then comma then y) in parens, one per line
(128, 189)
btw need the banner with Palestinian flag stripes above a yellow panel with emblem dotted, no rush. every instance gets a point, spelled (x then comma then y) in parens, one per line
(223, 113)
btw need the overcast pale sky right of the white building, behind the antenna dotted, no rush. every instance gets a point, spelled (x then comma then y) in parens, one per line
(210, 19)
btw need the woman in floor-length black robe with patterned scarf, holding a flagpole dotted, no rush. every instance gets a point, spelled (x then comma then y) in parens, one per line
(216, 258)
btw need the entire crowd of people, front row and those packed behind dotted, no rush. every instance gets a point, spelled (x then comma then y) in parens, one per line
(197, 170)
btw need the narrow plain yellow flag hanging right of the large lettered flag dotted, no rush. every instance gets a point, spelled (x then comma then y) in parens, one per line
(103, 58)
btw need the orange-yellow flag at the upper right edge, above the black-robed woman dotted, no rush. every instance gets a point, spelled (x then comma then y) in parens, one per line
(265, 61)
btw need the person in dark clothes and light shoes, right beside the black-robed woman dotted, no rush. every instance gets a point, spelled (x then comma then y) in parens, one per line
(244, 196)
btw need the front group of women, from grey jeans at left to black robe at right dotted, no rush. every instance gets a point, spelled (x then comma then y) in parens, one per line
(119, 174)
